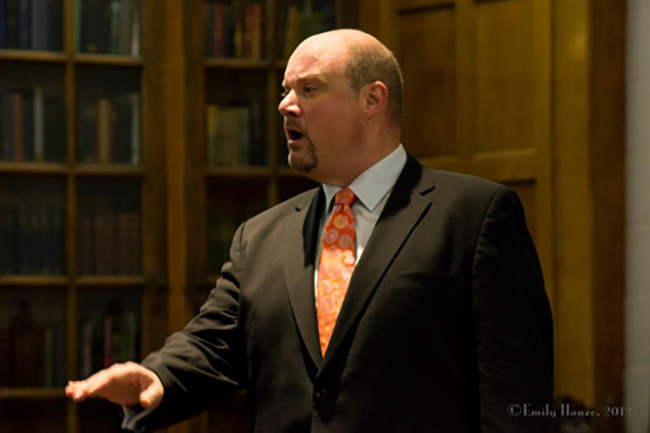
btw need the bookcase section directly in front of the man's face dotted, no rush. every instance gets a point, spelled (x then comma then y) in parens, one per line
(238, 157)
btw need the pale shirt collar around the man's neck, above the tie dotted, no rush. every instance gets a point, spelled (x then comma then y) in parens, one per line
(374, 183)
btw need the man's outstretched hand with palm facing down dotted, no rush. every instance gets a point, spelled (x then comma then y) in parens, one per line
(124, 384)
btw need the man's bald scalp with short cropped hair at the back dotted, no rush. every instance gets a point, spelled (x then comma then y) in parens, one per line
(363, 60)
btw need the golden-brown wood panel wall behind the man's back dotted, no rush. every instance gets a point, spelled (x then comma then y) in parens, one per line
(529, 93)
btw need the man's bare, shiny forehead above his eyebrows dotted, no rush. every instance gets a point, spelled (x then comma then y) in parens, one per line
(314, 61)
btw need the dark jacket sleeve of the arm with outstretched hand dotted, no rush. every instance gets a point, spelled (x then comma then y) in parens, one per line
(202, 364)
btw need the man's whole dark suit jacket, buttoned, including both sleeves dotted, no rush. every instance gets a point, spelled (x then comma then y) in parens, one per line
(445, 324)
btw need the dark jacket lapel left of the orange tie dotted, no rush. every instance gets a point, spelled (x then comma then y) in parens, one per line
(301, 237)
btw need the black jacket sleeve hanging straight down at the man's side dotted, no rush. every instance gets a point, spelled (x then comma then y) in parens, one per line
(514, 326)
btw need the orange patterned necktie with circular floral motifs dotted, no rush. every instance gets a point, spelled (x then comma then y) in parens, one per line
(336, 264)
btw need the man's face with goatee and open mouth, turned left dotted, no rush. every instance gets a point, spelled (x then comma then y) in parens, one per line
(322, 115)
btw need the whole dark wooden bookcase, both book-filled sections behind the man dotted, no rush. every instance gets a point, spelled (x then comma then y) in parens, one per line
(87, 261)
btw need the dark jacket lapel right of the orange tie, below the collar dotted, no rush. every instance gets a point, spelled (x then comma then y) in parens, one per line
(402, 212)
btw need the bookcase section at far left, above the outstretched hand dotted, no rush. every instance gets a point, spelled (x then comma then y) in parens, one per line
(81, 238)
